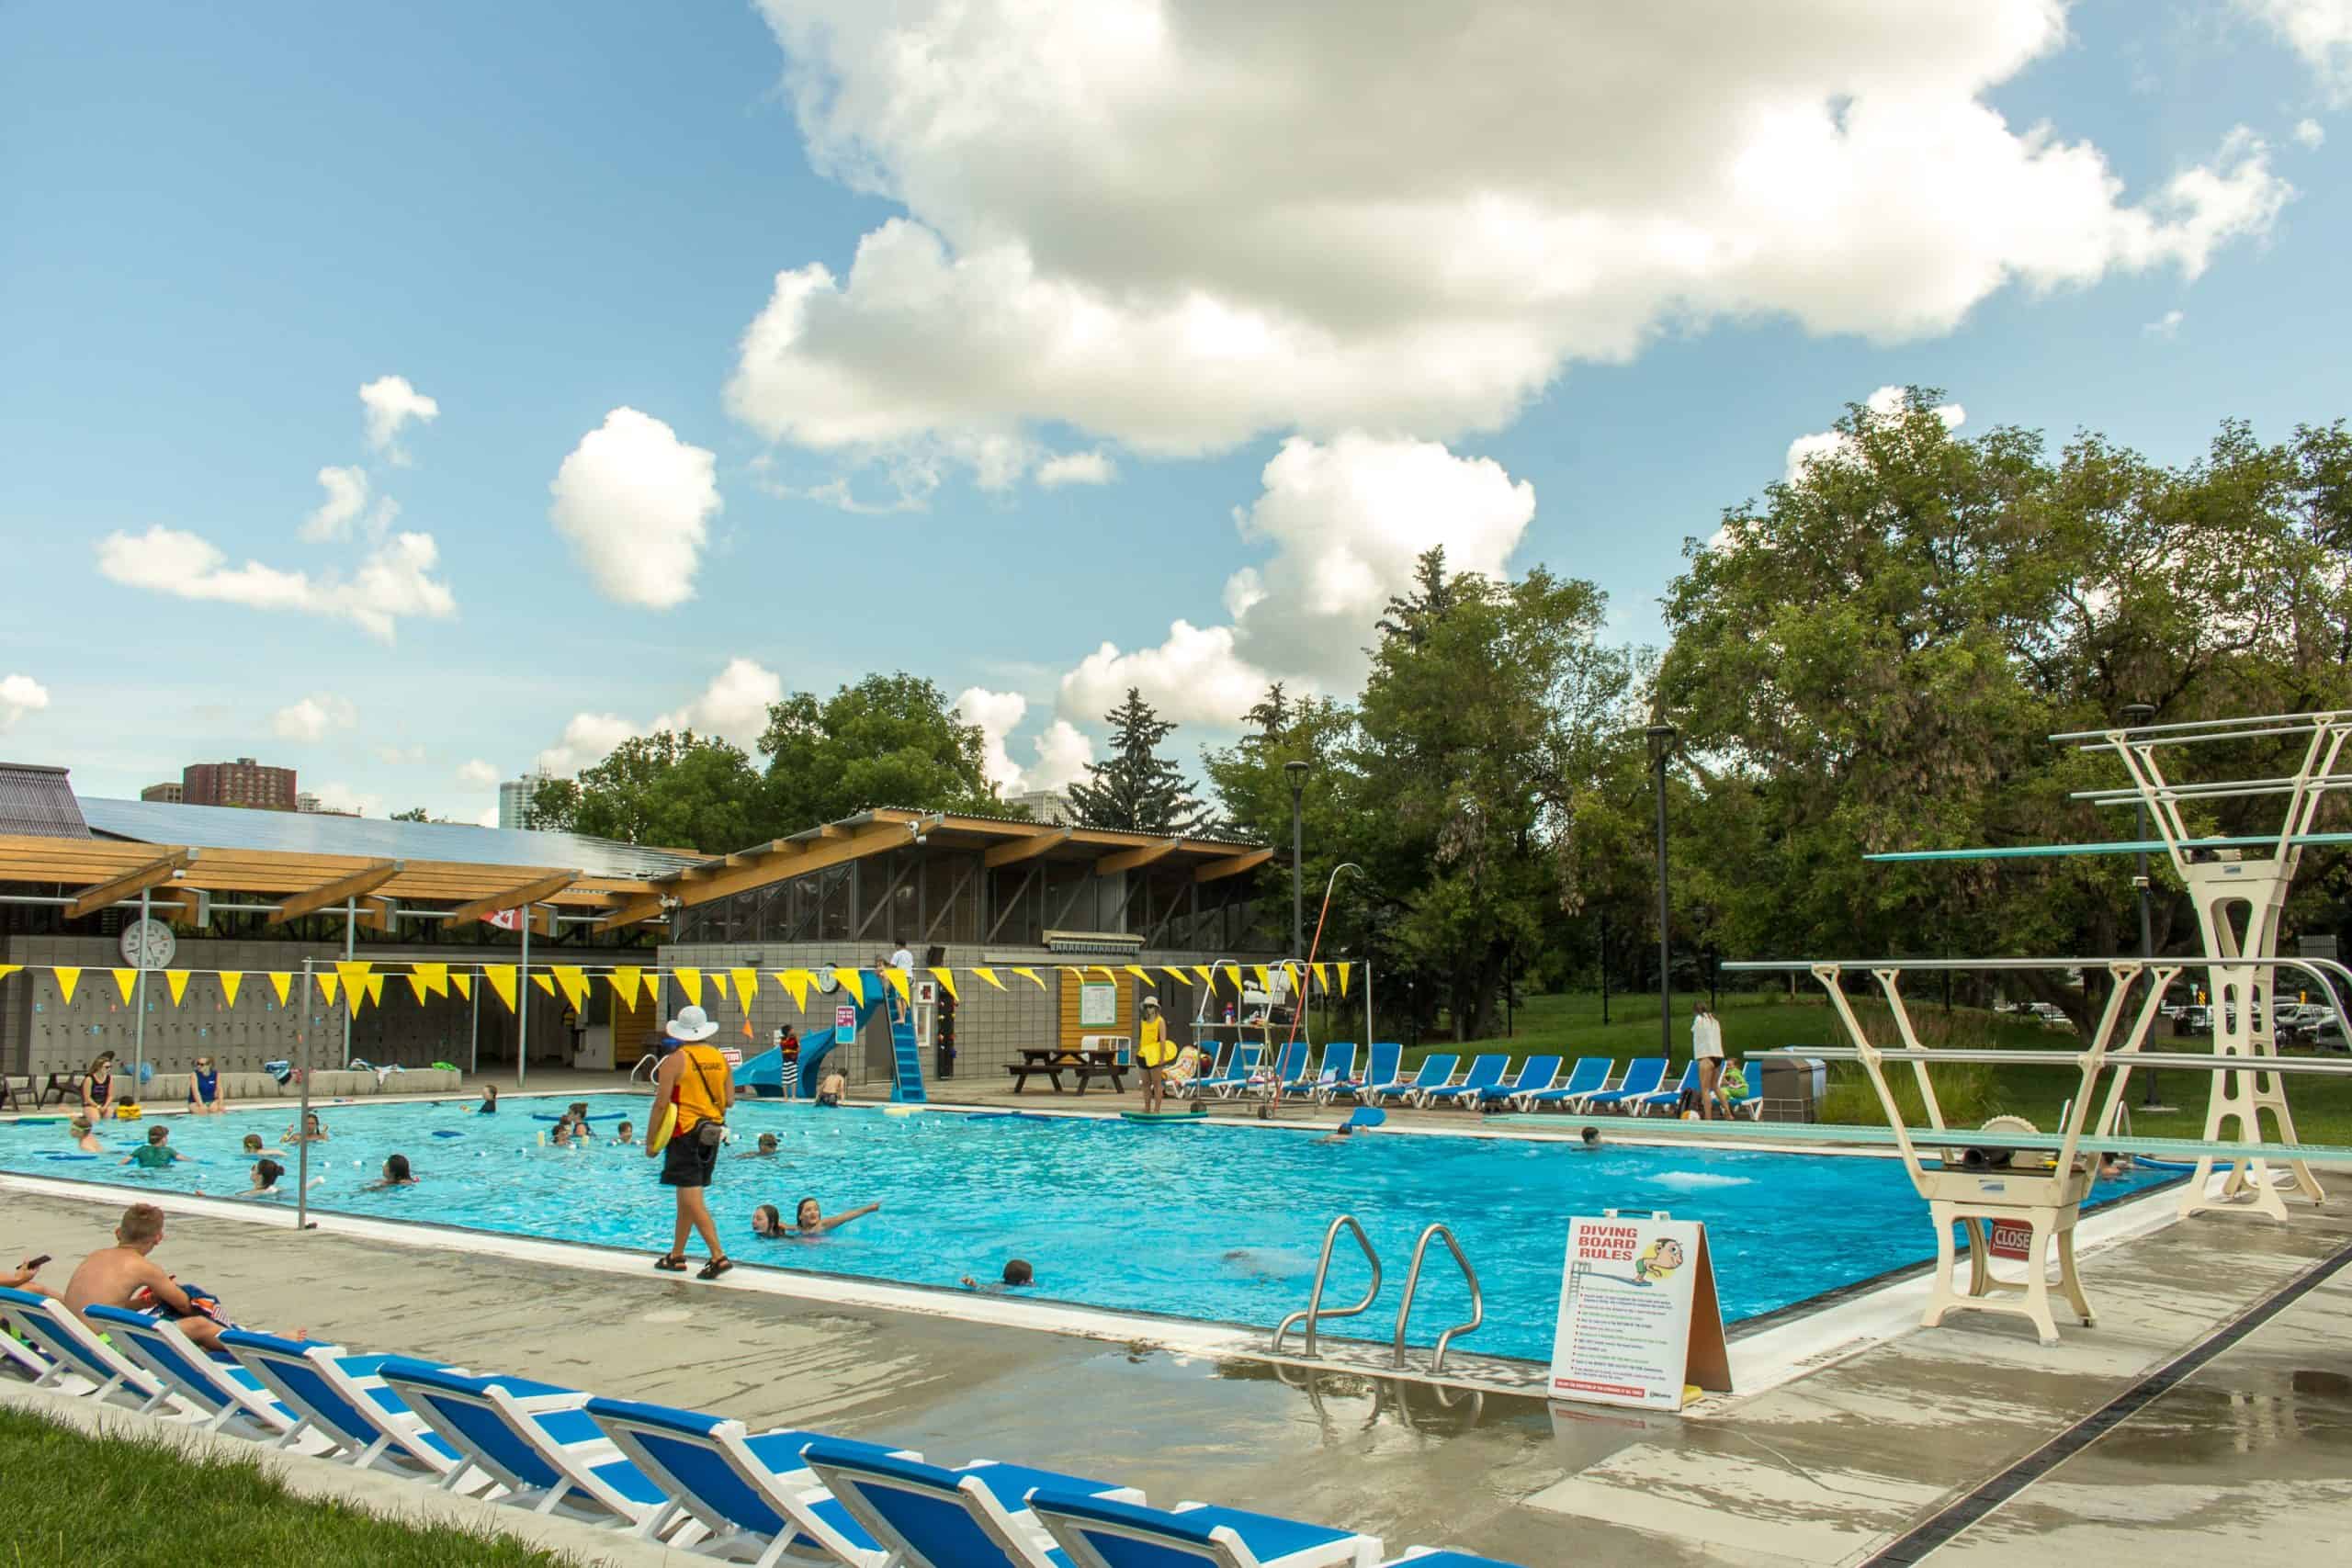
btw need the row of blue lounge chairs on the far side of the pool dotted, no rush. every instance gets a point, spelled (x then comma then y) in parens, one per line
(1488, 1085)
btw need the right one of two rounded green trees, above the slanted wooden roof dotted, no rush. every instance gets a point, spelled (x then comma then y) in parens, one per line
(886, 742)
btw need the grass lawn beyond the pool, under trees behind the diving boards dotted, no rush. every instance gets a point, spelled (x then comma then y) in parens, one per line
(1768, 1021)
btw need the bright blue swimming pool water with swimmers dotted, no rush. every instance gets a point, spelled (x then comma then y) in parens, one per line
(1198, 1221)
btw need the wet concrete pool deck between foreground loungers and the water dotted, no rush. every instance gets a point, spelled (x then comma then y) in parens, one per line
(2243, 1454)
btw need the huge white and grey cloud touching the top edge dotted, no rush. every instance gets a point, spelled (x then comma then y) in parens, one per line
(1462, 201)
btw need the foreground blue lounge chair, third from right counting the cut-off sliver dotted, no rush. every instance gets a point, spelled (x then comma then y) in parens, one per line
(930, 1517)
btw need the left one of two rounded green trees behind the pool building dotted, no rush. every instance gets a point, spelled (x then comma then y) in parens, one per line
(669, 791)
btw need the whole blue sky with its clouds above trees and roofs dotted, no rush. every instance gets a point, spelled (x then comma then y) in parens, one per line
(218, 225)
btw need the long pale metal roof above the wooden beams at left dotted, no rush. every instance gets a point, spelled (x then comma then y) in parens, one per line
(154, 822)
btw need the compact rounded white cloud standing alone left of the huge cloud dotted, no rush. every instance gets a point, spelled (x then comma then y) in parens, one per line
(636, 504)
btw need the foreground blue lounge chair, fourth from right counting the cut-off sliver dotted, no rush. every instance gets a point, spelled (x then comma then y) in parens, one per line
(754, 1494)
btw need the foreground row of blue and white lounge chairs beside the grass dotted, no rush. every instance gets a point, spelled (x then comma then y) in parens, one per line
(697, 1482)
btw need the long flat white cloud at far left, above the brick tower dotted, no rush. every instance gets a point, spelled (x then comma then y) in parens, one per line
(394, 582)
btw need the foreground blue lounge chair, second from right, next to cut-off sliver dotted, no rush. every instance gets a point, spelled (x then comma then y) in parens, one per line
(1104, 1534)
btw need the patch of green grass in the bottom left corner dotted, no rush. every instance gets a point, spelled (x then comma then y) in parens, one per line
(147, 1503)
